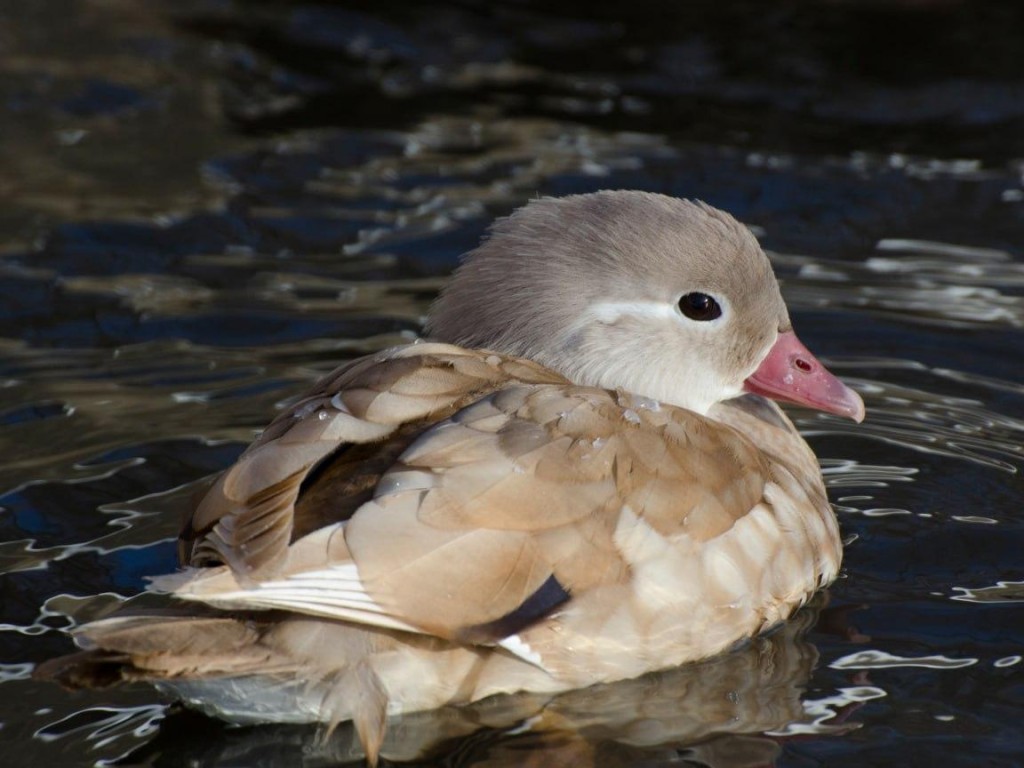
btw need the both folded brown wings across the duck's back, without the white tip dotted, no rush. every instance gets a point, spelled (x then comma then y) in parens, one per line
(476, 500)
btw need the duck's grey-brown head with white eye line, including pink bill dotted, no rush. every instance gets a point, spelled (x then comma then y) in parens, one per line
(666, 298)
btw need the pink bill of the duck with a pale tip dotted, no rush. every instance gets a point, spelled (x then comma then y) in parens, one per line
(791, 373)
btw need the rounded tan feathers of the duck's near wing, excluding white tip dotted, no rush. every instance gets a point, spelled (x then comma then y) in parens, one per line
(528, 485)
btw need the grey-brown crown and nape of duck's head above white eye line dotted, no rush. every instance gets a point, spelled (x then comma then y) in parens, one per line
(521, 291)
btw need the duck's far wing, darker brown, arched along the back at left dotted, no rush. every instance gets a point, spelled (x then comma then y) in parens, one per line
(372, 408)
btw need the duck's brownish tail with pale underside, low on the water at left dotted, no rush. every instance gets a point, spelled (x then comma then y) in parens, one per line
(245, 669)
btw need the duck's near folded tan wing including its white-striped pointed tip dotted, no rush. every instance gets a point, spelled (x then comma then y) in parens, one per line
(502, 513)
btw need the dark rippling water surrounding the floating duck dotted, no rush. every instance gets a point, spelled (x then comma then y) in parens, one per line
(205, 205)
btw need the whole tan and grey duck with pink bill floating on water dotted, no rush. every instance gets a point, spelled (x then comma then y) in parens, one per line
(582, 477)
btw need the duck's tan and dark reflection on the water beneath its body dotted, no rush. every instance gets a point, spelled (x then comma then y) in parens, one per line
(713, 713)
